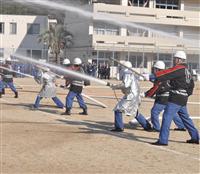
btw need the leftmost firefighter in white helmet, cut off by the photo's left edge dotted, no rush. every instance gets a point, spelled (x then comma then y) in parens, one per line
(7, 79)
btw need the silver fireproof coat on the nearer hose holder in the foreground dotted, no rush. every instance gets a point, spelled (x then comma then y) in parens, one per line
(129, 103)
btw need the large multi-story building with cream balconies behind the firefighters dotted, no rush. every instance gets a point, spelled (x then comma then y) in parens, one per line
(164, 27)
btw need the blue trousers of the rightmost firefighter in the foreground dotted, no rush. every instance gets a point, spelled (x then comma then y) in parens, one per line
(170, 111)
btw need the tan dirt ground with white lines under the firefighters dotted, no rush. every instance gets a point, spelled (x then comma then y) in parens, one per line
(44, 141)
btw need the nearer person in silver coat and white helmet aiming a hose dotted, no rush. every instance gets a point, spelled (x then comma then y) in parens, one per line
(129, 103)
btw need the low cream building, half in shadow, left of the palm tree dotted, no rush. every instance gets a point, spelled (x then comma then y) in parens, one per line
(19, 33)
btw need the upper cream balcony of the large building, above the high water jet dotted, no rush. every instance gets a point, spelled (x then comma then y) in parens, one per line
(149, 15)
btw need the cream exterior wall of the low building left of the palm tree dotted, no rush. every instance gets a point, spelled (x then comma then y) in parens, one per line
(21, 41)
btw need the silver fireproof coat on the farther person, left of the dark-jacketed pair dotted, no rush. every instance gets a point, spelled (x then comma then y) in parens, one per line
(47, 79)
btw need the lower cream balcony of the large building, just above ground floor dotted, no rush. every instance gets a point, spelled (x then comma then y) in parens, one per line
(139, 44)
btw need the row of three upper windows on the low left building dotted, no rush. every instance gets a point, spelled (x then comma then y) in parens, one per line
(31, 28)
